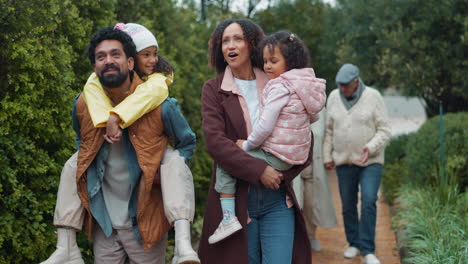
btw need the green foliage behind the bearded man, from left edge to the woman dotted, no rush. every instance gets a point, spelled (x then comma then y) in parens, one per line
(43, 66)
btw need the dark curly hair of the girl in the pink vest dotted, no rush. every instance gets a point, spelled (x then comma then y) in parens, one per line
(291, 47)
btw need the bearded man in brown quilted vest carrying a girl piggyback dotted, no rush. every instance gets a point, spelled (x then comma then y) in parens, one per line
(118, 184)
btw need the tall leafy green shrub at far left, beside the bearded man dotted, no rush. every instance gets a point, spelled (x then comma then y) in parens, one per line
(35, 138)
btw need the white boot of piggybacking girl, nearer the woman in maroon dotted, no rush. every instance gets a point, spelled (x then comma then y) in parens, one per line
(183, 253)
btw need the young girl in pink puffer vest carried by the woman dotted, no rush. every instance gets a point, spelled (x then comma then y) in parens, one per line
(281, 134)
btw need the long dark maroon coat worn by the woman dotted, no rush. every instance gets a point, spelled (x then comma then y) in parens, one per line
(223, 124)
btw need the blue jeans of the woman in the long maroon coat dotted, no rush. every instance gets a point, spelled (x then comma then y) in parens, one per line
(271, 231)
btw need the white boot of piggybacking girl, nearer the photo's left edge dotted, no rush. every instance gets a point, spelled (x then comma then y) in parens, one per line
(67, 251)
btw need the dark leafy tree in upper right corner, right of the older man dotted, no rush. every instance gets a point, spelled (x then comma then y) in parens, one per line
(425, 52)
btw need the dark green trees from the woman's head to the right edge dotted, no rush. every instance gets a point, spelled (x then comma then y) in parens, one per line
(416, 46)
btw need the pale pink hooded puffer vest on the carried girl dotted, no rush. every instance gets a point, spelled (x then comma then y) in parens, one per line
(291, 138)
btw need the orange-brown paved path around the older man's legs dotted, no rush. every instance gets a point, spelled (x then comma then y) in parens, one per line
(333, 240)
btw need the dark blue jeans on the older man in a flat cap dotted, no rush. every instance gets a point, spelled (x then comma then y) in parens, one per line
(360, 233)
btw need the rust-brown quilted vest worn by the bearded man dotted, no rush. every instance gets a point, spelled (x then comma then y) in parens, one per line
(146, 135)
